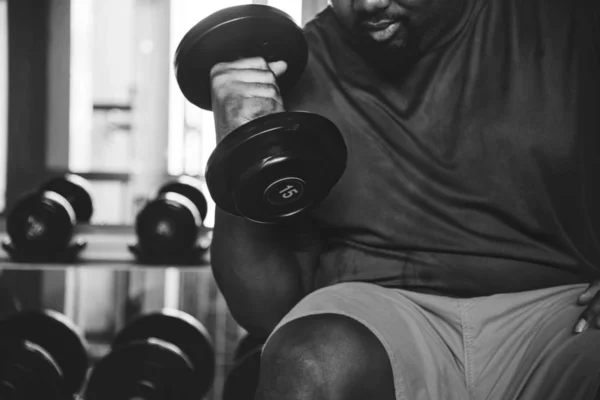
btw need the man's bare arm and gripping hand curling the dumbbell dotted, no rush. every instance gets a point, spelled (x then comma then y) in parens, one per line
(262, 270)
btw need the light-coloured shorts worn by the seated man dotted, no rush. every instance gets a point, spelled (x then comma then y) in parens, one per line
(517, 346)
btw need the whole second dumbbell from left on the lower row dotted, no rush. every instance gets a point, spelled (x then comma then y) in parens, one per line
(165, 355)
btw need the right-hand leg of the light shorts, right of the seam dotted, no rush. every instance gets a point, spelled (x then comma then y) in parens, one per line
(525, 348)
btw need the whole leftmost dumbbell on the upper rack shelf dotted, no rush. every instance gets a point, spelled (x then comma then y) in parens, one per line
(42, 223)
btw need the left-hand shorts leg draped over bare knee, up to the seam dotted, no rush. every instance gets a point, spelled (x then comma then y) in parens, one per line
(425, 357)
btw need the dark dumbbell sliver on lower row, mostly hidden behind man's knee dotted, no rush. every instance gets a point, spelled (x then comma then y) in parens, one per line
(242, 380)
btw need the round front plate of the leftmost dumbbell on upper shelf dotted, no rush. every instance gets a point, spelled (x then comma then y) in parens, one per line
(41, 223)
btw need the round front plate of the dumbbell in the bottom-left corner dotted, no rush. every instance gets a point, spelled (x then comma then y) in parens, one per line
(27, 371)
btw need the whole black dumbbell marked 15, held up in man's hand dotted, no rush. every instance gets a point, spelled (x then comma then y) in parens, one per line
(278, 165)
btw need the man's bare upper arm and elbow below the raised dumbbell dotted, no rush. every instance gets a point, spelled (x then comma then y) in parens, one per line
(260, 272)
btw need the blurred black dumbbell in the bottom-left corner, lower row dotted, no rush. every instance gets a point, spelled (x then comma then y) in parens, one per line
(42, 356)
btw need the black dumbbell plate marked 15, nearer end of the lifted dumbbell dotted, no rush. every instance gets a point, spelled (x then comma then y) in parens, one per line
(276, 166)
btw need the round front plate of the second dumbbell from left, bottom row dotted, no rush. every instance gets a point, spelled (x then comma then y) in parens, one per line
(145, 369)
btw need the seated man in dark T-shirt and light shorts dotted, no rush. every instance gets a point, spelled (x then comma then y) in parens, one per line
(454, 258)
